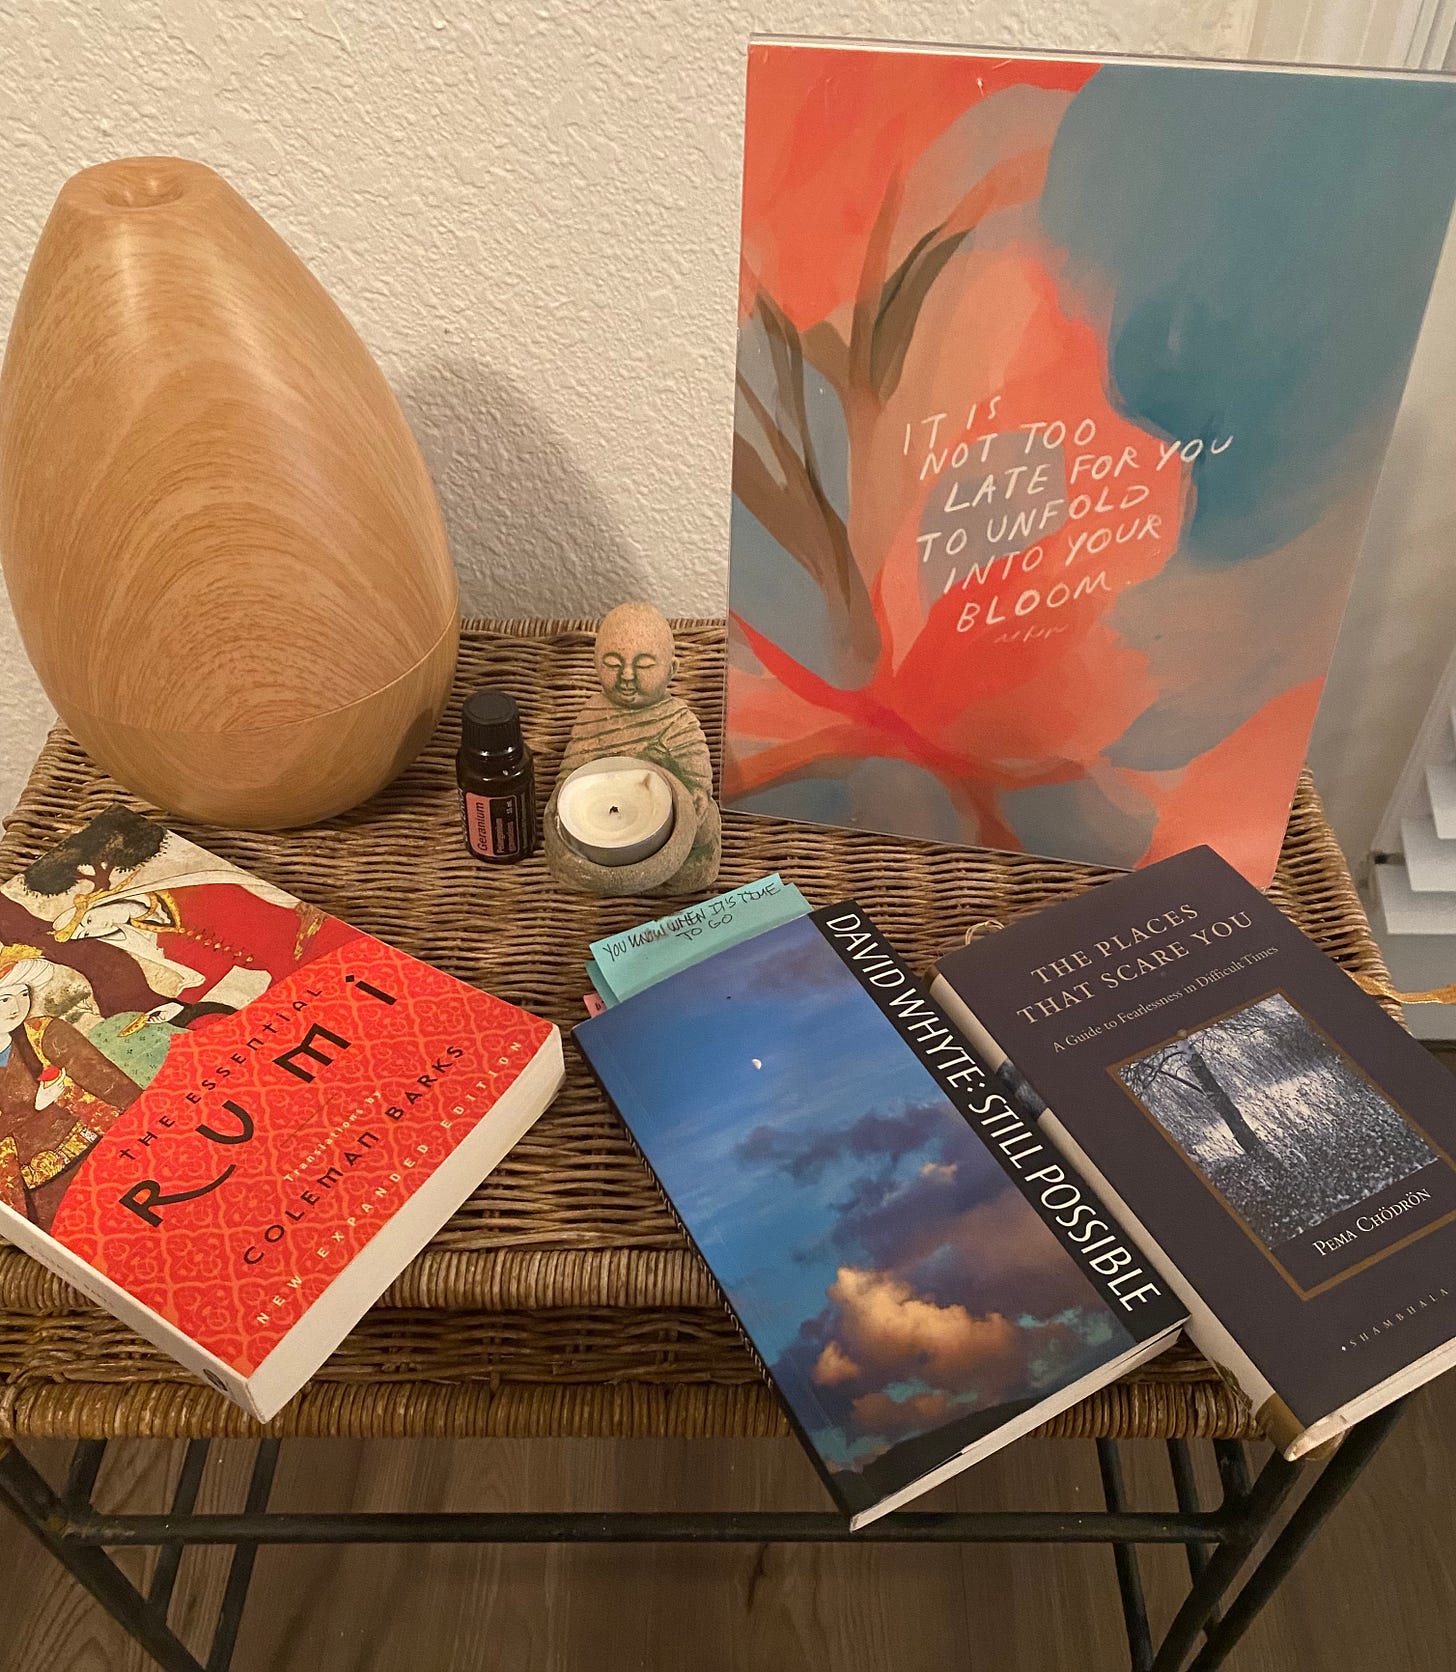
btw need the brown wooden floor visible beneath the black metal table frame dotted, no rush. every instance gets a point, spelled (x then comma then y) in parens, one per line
(1378, 1589)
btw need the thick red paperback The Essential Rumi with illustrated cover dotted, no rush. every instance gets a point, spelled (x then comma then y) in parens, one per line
(228, 1118)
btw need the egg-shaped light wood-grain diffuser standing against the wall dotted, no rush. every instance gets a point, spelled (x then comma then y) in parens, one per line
(220, 538)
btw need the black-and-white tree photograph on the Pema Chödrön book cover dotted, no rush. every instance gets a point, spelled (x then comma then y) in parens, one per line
(1276, 1118)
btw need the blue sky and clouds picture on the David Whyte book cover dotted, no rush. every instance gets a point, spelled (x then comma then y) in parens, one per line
(883, 1263)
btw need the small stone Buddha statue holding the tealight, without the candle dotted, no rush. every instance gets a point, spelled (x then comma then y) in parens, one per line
(636, 716)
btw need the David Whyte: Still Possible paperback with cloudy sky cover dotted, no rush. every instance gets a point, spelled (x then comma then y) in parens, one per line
(924, 1278)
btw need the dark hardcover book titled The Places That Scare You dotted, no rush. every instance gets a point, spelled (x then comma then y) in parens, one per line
(1266, 1134)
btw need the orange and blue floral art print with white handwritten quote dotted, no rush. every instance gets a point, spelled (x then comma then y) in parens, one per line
(1062, 395)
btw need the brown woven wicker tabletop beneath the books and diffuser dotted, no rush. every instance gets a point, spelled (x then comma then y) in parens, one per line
(563, 1298)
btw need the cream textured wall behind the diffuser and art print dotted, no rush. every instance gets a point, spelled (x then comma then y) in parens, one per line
(529, 212)
